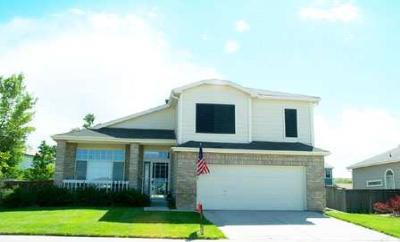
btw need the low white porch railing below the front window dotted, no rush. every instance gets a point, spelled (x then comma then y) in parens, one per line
(103, 185)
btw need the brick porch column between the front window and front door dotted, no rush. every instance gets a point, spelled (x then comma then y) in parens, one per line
(133, 166)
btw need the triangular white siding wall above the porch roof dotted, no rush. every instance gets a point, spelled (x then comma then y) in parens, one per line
(163, 119)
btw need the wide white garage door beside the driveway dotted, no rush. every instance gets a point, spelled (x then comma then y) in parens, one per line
(252, 187)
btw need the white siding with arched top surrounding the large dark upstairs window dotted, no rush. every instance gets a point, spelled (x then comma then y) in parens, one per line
(213, 94)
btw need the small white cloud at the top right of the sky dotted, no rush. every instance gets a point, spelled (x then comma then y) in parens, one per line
(342, 12)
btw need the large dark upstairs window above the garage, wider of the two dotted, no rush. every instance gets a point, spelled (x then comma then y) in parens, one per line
(215, 118)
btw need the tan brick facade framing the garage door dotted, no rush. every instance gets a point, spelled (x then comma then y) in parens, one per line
(184, 175)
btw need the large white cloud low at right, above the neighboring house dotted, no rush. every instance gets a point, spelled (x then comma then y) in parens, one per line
(356, 134)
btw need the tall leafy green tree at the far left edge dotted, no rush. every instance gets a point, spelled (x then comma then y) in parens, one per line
(16, 112)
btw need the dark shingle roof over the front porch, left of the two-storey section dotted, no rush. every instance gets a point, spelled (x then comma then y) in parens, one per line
(124, 133)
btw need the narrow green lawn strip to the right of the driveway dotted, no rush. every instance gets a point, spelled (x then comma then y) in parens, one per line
(383, 223)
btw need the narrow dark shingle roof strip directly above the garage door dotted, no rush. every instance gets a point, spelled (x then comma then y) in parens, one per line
(255, 145)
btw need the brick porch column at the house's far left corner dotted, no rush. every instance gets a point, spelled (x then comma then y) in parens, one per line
(65, 161)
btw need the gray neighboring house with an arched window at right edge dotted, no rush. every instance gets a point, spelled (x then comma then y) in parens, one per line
(379, 172)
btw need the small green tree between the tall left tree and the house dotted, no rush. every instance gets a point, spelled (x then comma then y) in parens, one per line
(43, 163)
